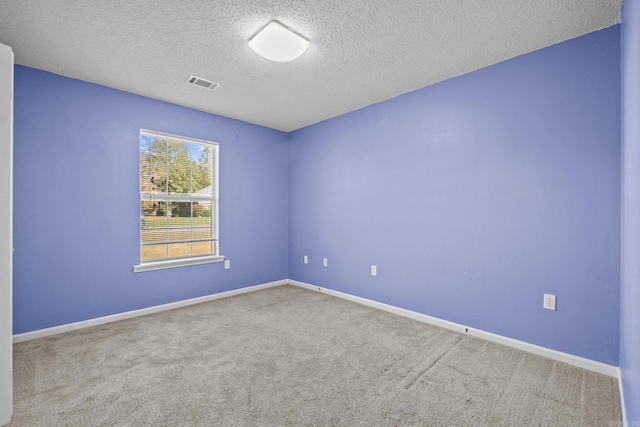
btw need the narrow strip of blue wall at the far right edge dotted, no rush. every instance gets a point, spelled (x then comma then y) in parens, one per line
(630, 263)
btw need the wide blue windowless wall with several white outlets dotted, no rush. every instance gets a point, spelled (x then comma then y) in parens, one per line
(475, 196)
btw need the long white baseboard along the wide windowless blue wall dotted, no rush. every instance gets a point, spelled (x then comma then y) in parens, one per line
(592, 365)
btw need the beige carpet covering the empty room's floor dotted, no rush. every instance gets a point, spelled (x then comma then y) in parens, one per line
(287, 356)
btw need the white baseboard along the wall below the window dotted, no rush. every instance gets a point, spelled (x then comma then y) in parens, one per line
(40, 333)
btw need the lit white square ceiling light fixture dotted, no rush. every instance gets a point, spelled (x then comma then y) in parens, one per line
(276, 42)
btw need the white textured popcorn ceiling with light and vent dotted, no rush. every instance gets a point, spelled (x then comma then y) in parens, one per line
(362, 51)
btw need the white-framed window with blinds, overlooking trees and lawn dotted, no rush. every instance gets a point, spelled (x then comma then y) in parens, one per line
(178, 201)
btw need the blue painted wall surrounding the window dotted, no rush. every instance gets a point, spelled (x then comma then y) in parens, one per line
(76, 201)
